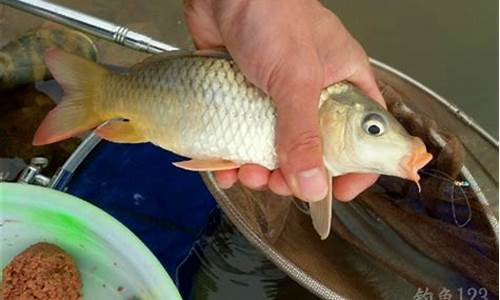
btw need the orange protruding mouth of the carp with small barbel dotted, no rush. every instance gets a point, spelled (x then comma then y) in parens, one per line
(418, 158)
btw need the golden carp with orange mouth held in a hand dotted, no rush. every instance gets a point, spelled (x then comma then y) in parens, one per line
(199, 105)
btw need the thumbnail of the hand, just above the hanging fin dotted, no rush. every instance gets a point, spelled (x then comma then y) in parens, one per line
(312, 184)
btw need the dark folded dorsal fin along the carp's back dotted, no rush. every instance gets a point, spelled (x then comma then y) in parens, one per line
(214, 52)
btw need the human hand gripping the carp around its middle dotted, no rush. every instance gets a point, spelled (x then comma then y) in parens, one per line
(291, 49)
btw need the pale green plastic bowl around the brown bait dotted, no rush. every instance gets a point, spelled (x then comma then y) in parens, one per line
(113, 262)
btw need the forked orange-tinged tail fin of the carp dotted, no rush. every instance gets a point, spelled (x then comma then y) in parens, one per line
(80, 80)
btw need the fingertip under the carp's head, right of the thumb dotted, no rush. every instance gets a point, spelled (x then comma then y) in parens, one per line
(347, 187)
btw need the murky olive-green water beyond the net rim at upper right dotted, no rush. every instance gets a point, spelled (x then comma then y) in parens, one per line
(450, 46)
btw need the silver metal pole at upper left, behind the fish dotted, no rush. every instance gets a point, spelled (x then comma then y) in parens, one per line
(91, 25)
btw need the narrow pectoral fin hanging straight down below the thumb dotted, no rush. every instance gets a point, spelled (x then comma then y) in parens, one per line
(321, 213)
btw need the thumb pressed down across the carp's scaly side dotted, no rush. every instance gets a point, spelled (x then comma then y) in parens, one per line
(298, 137)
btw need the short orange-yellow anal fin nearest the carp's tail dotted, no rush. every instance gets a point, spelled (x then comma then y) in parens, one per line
(120, 132)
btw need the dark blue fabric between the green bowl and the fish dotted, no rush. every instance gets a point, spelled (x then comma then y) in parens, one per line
(166, 207)
